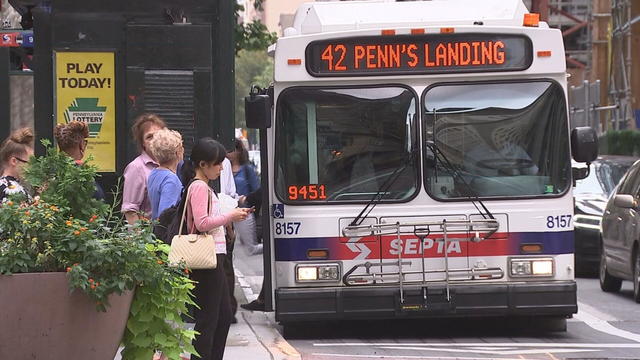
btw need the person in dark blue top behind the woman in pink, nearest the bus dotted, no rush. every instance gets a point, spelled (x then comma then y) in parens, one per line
(247, 182)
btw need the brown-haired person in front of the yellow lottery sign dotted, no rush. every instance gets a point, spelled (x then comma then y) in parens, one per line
(72, 140)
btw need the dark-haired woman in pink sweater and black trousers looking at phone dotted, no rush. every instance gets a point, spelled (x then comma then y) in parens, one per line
(213, 315)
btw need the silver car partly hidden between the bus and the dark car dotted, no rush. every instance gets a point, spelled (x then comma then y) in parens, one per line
(590, 195)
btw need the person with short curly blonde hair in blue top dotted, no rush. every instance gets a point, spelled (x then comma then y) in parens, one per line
(163, 185)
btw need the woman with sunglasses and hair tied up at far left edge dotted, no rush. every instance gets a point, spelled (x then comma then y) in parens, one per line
(15, 152)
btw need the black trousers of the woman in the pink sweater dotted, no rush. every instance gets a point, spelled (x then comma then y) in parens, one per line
(213, 315)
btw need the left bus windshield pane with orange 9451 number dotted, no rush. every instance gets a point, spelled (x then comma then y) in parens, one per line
(342, 144)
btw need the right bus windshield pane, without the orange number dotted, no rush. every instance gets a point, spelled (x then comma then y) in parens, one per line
(503, 139)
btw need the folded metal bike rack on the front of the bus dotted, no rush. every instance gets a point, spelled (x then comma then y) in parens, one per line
(478, 230)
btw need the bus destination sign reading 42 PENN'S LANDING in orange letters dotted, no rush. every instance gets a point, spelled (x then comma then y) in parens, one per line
(418, 54)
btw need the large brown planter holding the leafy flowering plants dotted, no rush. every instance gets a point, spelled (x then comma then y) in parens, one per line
(40, 319)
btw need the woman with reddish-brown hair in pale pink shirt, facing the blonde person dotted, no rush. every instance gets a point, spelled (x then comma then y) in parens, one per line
(135, 201)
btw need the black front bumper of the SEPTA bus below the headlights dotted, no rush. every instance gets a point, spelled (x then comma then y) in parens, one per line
(550, 298)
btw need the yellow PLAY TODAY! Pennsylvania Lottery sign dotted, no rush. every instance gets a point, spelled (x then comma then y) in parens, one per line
(85, 91)
